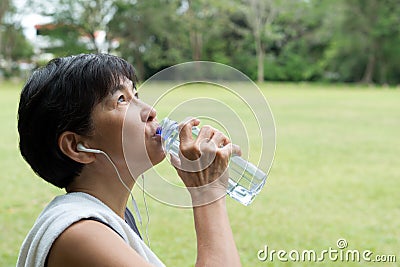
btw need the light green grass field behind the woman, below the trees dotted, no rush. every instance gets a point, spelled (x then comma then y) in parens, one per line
(335, 175)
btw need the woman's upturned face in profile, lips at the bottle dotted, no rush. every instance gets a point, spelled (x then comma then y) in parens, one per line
(125, 128)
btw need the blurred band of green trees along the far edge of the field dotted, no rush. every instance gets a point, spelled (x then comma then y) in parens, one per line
(275, 40)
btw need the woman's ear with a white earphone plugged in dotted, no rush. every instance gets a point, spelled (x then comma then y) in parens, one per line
(68, 142)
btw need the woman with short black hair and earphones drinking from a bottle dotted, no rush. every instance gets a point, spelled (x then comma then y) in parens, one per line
(70, 120)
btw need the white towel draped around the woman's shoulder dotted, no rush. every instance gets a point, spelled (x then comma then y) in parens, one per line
(62, 212)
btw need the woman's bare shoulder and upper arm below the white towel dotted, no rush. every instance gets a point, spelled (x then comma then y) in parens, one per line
(91, 243)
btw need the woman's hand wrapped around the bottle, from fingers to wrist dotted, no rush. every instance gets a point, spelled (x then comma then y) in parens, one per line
(203, 162)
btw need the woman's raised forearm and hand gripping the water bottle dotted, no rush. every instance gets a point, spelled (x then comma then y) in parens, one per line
(203, 167)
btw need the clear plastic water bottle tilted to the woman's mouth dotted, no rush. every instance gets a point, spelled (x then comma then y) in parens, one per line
(245, 179)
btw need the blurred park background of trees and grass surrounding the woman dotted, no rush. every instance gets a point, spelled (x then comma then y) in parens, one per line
(330, 70)
